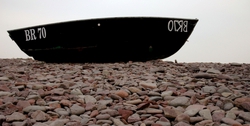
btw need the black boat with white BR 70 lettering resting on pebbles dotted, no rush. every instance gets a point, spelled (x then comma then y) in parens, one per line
(112, 39)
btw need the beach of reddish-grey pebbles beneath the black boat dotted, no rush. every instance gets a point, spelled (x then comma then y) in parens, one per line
(153, 93)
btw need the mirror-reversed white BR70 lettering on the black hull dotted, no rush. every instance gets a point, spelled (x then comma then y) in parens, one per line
(178, 26)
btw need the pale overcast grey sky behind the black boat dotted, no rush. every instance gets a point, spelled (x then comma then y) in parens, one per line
(221, 35)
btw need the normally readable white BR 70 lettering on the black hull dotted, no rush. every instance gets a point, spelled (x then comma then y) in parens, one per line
(30, 34)
